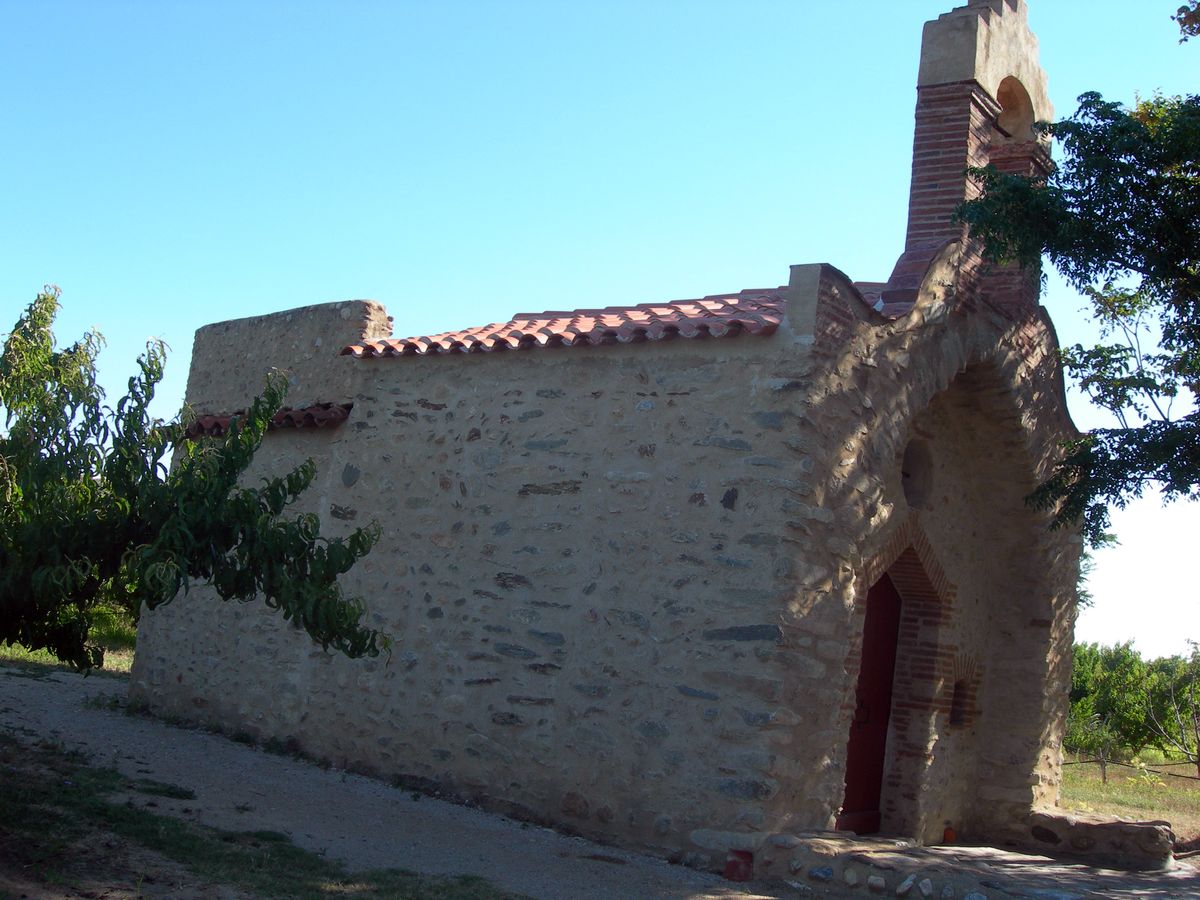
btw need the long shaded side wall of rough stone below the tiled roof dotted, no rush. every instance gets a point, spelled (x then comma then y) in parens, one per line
(584, 565)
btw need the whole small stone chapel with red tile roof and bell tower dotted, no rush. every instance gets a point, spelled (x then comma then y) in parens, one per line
(629, 556)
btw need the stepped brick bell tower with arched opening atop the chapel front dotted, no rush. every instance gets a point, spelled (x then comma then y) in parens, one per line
(980, 91)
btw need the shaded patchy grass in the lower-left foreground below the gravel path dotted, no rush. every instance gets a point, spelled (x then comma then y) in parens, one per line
(52, 803)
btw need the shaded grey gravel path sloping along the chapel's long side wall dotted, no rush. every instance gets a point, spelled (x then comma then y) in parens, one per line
(363, 823)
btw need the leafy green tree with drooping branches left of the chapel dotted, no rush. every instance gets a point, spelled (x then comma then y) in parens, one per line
(91, 513)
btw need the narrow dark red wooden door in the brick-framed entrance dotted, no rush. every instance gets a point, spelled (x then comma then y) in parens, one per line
(873, 707)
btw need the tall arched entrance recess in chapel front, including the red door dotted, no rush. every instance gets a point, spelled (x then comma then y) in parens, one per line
(967, 739)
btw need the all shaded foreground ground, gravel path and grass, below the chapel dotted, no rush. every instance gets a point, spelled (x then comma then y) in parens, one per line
(52, 721)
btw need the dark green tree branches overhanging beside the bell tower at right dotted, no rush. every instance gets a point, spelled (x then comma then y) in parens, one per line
(1120, 219)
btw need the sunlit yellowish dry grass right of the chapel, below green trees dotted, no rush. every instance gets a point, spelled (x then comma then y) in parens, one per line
(1131, 794)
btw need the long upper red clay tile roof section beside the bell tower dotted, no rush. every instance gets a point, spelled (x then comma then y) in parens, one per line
(753, 313)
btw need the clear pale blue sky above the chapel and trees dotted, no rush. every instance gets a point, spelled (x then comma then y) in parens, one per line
(176, 164)
